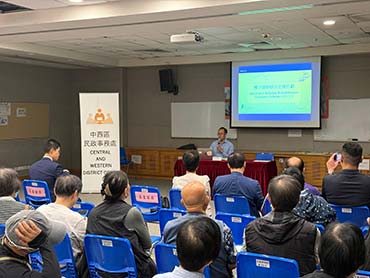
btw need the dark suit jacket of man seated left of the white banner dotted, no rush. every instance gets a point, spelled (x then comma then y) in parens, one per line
(46, 170)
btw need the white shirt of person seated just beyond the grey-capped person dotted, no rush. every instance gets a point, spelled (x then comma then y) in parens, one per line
(75, 223)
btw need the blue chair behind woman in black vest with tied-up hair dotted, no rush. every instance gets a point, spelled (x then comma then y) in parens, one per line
(107, 254)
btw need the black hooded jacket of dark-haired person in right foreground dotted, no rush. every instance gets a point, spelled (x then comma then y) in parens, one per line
(284, 235)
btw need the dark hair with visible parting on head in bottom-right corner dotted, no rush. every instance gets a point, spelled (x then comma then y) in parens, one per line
(341, 250)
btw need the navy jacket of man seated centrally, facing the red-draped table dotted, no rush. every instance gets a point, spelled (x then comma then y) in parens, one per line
(236, 184)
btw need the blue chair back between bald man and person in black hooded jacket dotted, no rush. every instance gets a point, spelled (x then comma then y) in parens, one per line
(237, 223)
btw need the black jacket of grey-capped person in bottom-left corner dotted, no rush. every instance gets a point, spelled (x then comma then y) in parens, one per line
(15, 268)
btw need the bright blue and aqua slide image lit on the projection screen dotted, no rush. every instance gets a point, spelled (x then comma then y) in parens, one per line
(277, 92)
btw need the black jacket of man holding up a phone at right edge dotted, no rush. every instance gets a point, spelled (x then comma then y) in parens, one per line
(347, 188)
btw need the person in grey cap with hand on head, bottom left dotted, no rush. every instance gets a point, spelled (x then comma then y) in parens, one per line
(26, 232)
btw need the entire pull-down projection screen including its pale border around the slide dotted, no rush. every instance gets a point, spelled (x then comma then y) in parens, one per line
(276, 94)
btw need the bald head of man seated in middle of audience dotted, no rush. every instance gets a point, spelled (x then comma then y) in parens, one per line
(195, 197)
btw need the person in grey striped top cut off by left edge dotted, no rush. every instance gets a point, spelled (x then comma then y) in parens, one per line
(9, 187)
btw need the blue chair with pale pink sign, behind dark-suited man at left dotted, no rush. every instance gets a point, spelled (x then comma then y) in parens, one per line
(36, 193)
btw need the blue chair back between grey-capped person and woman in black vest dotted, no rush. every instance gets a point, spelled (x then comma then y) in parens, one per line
(65, 257)
